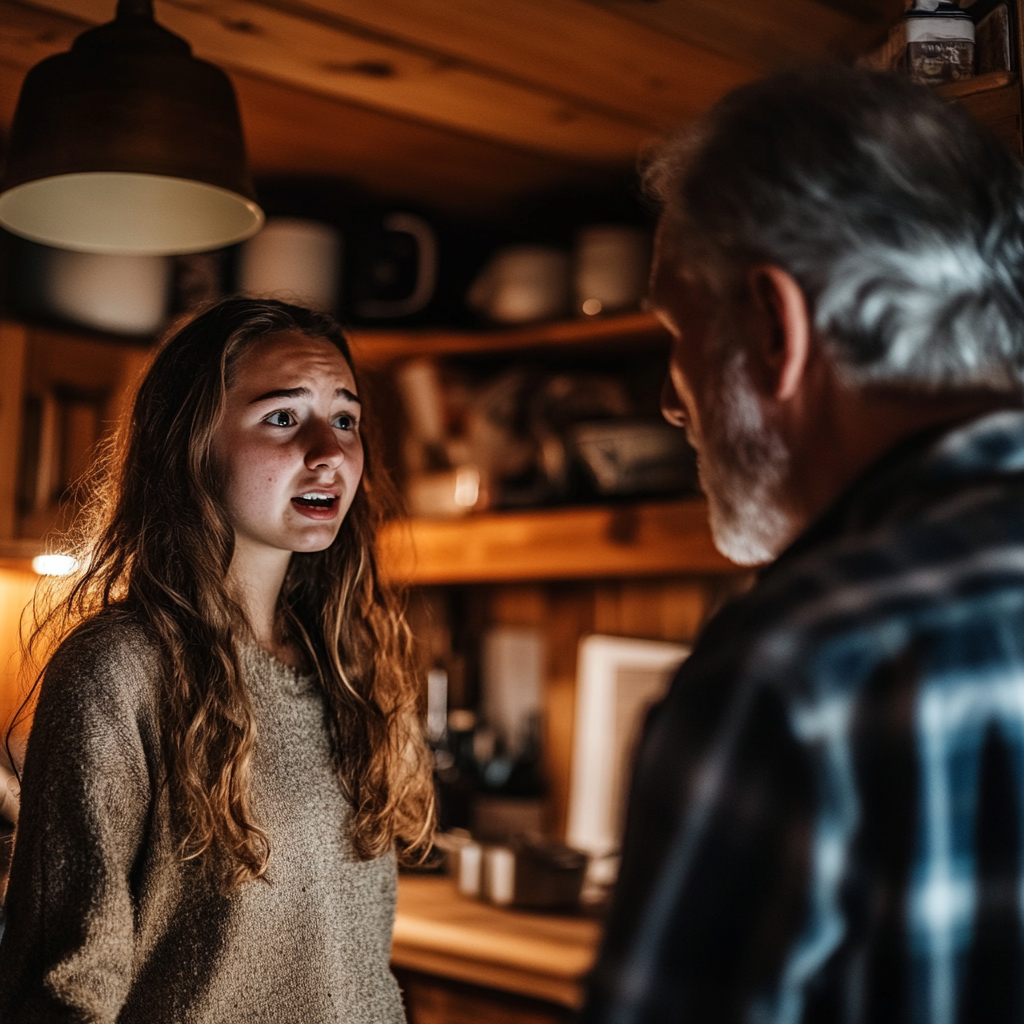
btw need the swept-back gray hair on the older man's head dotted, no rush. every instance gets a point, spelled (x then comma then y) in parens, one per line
(901, 218)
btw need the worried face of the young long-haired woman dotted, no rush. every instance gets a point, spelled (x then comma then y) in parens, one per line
(289, 445)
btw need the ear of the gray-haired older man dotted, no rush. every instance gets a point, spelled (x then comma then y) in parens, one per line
(784, 344)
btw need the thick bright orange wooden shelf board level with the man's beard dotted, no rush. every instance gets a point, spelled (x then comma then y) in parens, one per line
(647, 540)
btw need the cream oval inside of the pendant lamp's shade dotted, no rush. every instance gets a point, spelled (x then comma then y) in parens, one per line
(129, 215)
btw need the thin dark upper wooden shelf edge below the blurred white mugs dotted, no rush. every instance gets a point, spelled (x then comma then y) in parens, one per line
(373, 350)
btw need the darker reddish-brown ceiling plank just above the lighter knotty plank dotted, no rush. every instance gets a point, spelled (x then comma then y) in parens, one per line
(570, 47)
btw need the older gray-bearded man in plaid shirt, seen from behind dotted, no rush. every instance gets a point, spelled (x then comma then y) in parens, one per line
(827, 813)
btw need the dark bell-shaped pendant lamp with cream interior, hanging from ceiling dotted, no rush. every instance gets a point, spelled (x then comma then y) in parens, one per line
(127, 144)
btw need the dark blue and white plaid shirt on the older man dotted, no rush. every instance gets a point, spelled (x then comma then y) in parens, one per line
(826, 817)
